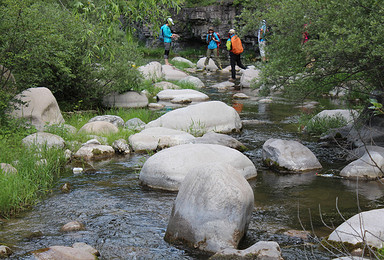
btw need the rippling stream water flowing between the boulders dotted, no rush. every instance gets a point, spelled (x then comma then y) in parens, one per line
(125, 220)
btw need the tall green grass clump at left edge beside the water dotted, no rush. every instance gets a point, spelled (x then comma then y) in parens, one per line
(32, 180)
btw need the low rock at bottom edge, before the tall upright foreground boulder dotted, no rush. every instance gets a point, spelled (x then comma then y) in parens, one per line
(268, 250)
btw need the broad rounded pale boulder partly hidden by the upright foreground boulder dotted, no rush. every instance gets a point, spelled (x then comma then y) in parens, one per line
(168, 168)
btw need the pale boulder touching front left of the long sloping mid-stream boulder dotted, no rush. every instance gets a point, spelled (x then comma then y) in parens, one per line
(155, 138)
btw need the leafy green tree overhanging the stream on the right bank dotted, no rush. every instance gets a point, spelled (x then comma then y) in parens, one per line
(345, 47)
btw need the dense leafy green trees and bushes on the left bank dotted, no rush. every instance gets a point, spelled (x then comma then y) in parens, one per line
(78, 49)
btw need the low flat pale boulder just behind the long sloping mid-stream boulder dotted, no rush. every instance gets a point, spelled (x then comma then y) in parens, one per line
(190, 94)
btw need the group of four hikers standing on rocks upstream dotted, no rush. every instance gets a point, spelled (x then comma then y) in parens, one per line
(233, 45)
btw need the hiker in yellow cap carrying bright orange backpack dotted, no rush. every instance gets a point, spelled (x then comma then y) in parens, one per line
(235, 48)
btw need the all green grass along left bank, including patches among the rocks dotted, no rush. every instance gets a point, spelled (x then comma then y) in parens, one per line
(33, 179)
